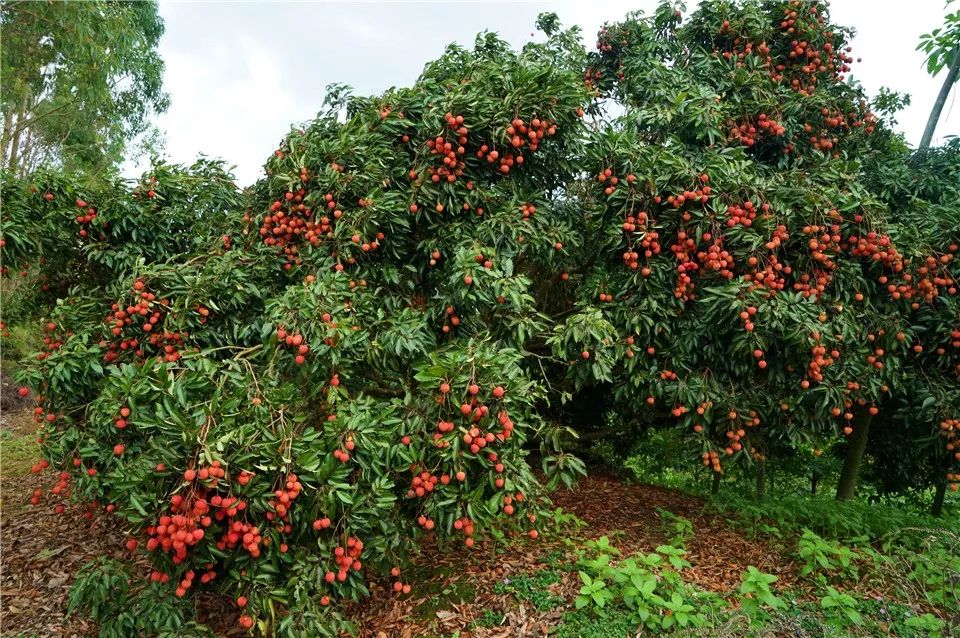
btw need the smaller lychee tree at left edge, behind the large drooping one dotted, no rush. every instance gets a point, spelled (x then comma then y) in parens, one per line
(65, 230)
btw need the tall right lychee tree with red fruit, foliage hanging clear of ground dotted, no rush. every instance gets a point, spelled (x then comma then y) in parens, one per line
(749, 281)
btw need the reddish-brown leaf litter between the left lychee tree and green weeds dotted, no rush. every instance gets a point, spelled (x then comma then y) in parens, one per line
(460, 594)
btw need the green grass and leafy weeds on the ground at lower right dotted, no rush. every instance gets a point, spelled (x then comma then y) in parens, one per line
(903, 603)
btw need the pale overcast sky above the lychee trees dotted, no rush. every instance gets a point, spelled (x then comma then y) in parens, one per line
(240, 73)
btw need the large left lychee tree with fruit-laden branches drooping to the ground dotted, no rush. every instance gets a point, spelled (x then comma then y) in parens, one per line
(302, 390)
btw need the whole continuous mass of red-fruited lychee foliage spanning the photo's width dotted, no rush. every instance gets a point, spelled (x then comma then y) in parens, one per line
(282, 392)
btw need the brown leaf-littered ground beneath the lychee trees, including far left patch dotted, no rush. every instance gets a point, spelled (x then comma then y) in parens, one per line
(42, 551)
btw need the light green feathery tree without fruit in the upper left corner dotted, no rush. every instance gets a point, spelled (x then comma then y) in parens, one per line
(80, 80)
